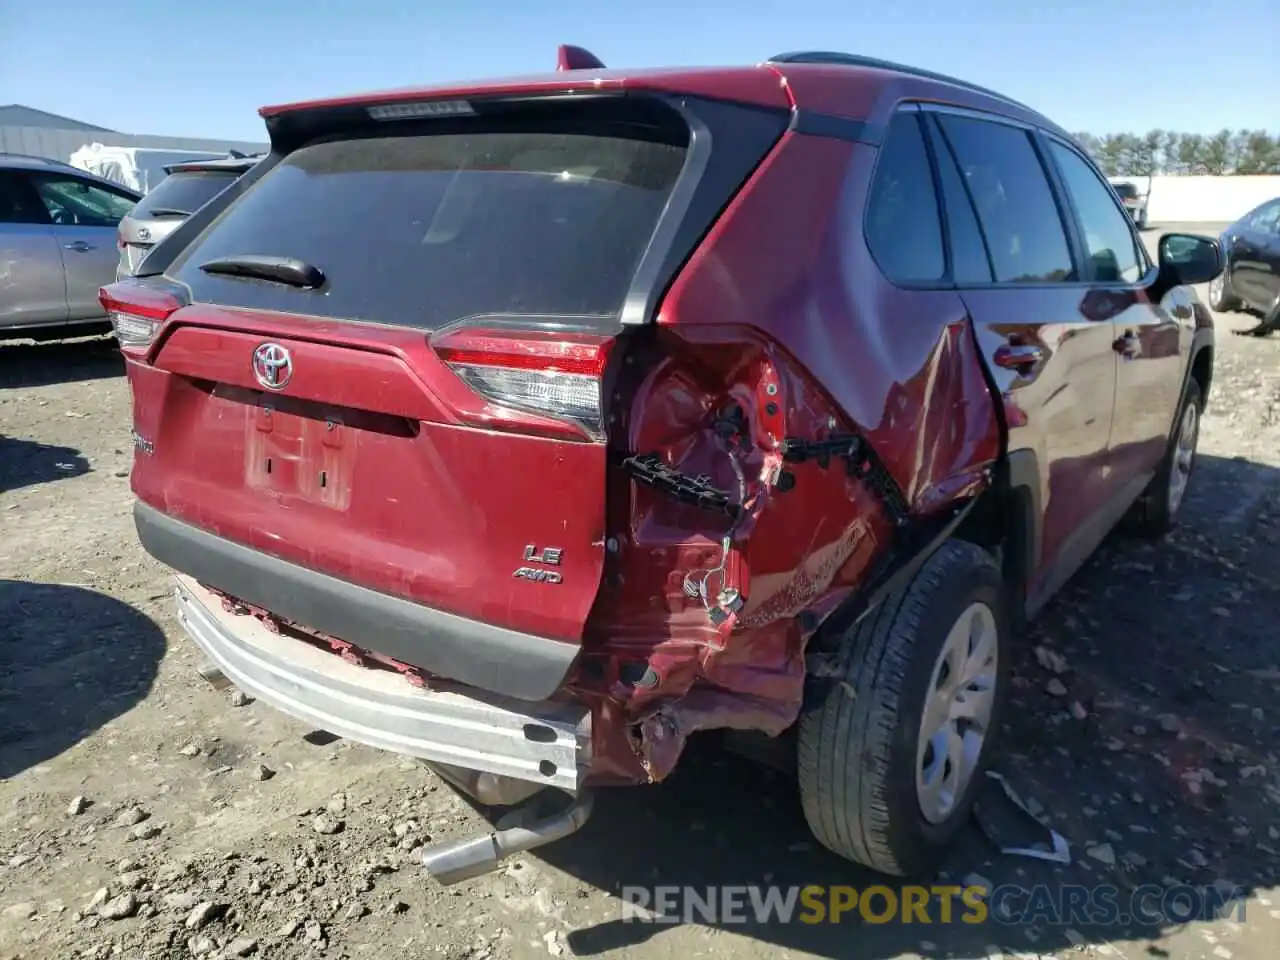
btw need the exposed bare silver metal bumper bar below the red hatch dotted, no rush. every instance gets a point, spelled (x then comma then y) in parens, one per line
(547, 743)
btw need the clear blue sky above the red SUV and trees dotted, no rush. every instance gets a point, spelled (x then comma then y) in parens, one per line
(204, 68)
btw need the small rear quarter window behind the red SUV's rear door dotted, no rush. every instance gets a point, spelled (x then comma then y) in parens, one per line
(903, 230)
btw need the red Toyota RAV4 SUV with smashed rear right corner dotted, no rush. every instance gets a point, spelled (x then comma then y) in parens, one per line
(531, 427)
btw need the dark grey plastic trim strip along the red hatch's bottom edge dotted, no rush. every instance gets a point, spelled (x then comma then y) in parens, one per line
(481, 656)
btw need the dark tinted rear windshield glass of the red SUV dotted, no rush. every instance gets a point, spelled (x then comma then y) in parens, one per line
(422, 231)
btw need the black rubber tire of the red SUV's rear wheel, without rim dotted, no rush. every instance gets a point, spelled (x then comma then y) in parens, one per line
(858, 735)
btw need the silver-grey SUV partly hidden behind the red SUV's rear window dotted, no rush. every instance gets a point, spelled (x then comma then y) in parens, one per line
(189, 186)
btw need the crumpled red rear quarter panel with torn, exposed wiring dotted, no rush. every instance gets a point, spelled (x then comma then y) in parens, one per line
(783, 316)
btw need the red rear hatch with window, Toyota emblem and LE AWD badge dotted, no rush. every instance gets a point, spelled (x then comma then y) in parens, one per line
(390, 358)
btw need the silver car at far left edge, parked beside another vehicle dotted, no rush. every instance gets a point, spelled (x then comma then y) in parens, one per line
(58, 246)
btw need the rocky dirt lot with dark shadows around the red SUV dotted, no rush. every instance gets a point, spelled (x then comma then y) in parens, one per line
(144, 815)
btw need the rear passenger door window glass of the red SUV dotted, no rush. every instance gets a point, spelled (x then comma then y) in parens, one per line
(1013, 199)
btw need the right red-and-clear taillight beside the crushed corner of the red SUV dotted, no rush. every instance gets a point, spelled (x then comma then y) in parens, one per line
(556, 376)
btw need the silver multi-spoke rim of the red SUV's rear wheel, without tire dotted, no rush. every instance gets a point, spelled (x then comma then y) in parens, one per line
(958, 708)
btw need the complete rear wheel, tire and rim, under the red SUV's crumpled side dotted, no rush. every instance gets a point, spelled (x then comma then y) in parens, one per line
(893, 752)
